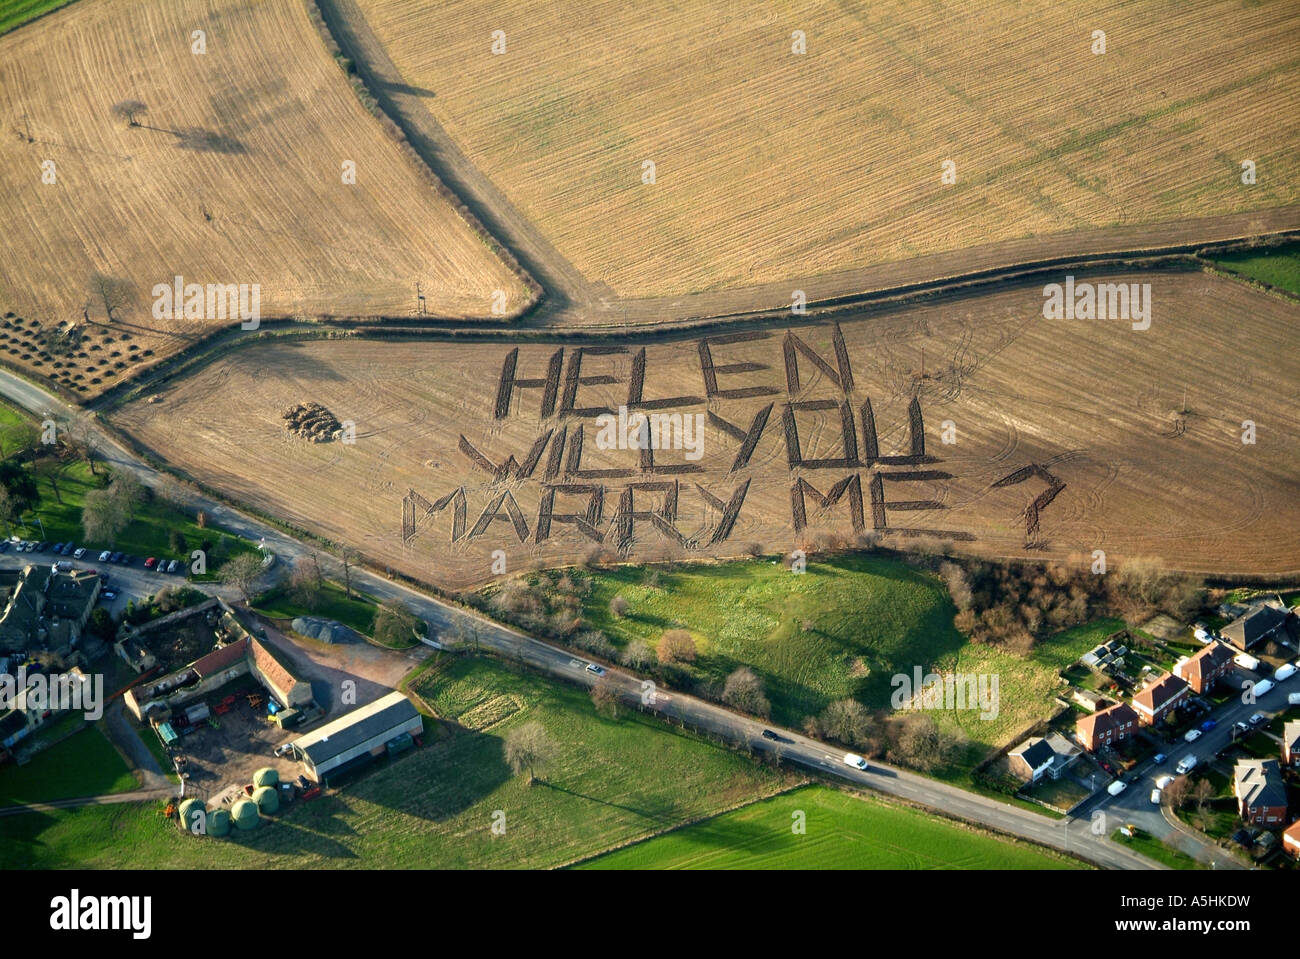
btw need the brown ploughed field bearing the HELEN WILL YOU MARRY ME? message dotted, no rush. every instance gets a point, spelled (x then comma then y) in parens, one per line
(1080, 416)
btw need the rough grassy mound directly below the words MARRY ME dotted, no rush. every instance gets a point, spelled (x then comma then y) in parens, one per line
(840, 630)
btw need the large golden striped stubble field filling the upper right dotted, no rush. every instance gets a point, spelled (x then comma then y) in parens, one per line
(773, 167)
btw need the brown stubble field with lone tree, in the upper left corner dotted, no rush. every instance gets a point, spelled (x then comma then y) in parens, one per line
(235, 176)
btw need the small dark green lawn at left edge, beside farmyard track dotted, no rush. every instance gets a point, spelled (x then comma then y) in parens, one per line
(83, 765)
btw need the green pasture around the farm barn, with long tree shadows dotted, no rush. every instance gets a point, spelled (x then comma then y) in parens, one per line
(434, 808)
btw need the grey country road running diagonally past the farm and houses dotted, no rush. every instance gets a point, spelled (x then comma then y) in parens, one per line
(1071, 836)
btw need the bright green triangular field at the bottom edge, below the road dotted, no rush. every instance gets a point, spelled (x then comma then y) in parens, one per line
(842, 832)
